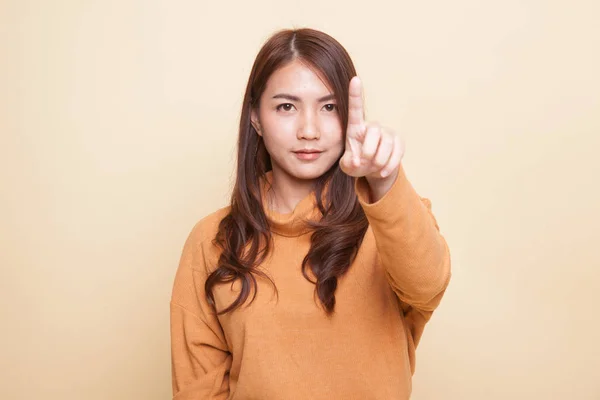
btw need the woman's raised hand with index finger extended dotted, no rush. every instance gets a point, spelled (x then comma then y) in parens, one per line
(371, 150)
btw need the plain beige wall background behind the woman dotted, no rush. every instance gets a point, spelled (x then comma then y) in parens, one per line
(118, 124)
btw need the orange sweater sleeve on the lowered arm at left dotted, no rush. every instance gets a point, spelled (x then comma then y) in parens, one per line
(200, 359)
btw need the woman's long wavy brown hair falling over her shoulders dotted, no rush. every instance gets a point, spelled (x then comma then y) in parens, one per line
(244, 235)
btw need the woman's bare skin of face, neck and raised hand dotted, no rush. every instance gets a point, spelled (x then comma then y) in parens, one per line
(311, 121)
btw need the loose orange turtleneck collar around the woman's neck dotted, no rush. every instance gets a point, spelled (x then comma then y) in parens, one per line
(294, 223)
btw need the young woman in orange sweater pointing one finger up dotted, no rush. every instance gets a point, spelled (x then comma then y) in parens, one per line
(318, 279)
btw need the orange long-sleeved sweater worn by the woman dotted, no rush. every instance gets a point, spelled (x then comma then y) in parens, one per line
(288, 348)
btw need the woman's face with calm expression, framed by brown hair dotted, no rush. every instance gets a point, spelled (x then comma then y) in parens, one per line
(299, 122)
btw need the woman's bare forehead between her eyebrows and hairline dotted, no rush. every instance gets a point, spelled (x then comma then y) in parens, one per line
(298, 79)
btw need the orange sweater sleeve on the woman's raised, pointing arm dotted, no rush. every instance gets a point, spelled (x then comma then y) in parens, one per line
(414, 254)
